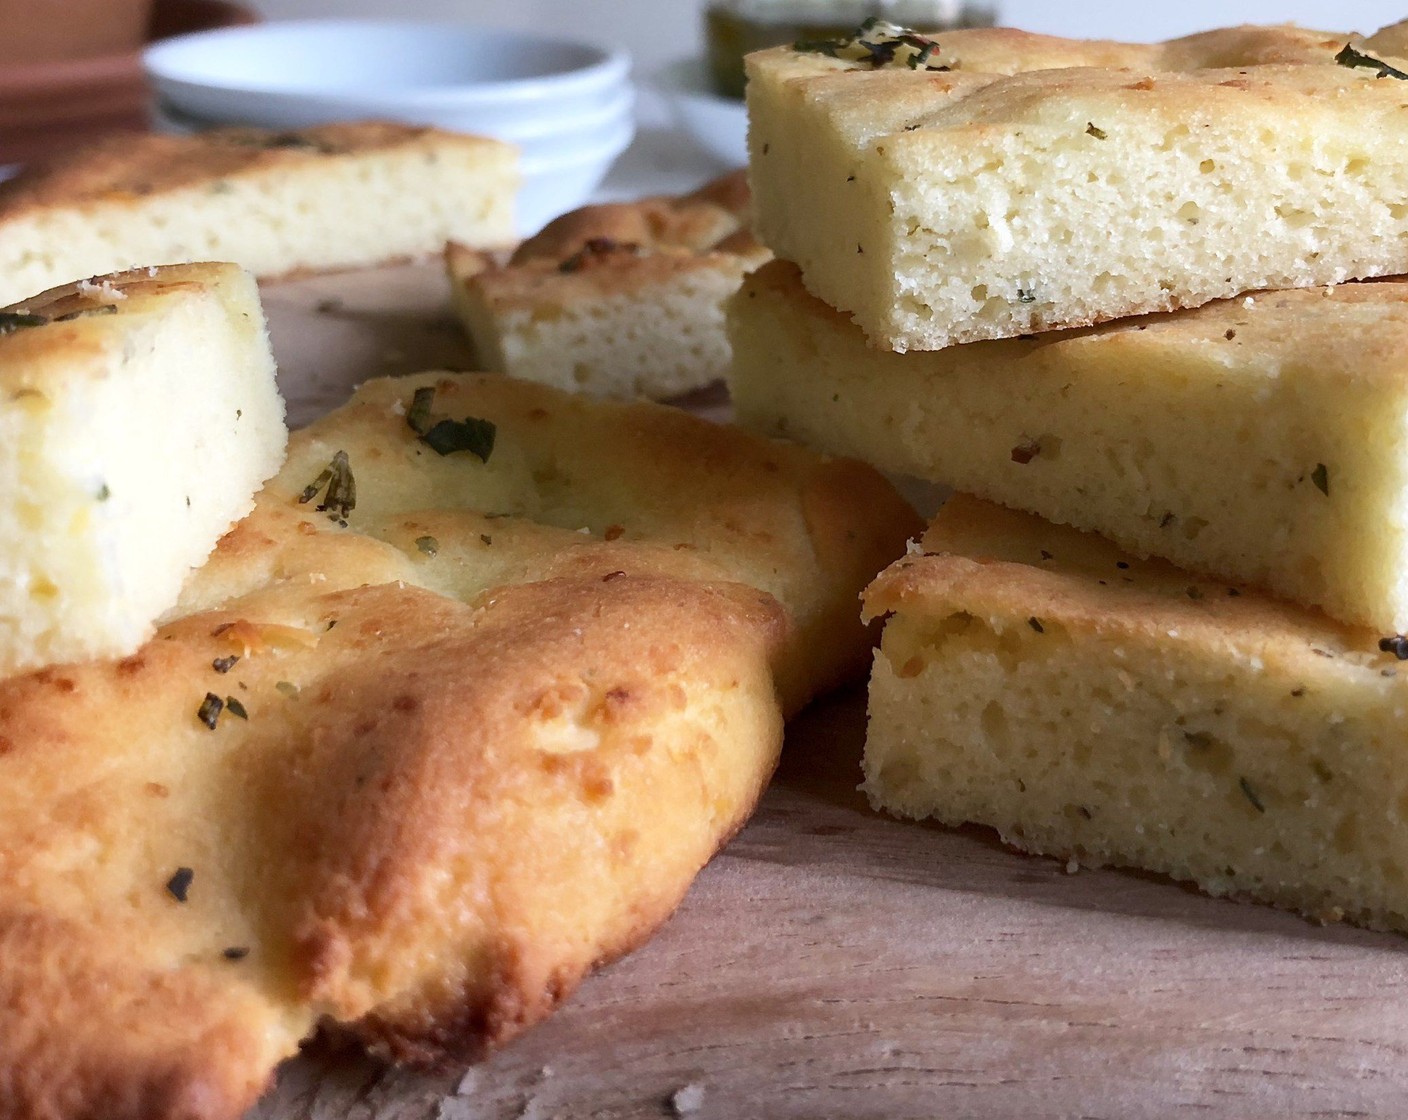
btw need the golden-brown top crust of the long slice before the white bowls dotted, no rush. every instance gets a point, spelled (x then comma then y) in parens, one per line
(137, 167)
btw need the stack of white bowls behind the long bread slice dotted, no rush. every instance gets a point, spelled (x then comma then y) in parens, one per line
(570, 106)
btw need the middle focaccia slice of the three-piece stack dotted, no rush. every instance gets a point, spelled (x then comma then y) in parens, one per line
(1261, 439)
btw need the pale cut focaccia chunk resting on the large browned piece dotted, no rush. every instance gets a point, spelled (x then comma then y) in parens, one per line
(139, 416)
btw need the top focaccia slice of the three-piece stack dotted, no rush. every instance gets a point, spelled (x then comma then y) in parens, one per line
(1034, 184)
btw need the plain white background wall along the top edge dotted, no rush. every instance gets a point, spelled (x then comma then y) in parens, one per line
(661, 30)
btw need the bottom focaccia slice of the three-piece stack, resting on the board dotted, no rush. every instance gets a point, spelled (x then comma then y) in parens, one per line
(1109, 711)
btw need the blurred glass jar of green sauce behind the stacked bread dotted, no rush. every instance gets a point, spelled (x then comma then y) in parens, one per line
(737, 27)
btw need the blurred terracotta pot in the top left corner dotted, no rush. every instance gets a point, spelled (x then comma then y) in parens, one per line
(53, 106)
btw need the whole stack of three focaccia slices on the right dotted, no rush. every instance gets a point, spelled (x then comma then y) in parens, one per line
(1129, 291)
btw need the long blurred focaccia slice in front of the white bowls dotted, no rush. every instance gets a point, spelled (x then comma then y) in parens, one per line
(316, 199)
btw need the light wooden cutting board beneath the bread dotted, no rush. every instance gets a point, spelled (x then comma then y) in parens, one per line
(834, 963)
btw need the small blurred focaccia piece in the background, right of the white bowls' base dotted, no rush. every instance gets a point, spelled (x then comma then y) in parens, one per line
(622, 299)
